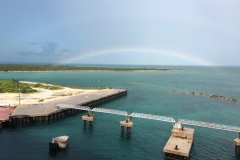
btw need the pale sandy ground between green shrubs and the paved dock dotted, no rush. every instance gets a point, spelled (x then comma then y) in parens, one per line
(42, 96)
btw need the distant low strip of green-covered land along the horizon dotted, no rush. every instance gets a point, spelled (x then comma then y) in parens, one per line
(49, 67)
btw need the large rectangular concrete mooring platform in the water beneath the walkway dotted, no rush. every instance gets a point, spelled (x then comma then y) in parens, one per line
(179, 144)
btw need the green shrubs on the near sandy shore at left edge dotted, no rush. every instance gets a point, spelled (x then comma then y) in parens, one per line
(13, 86)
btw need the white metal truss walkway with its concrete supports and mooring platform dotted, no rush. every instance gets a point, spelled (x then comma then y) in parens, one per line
(181, 137)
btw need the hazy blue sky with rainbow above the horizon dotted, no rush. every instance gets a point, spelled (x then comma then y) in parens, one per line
(136, 32)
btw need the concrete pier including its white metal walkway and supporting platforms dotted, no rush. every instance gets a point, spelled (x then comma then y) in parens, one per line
(178, 147)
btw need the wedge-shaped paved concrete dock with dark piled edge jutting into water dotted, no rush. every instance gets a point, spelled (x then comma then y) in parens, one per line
(31, 113)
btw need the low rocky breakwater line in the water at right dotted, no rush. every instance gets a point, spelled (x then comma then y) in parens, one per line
(209, 95)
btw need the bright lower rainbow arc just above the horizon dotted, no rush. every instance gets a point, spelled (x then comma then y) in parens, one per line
(151, 52)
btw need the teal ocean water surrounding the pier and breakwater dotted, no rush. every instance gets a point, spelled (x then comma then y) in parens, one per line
(148, 92)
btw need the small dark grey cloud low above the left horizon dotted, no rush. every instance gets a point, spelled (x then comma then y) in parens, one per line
(47, 49)
